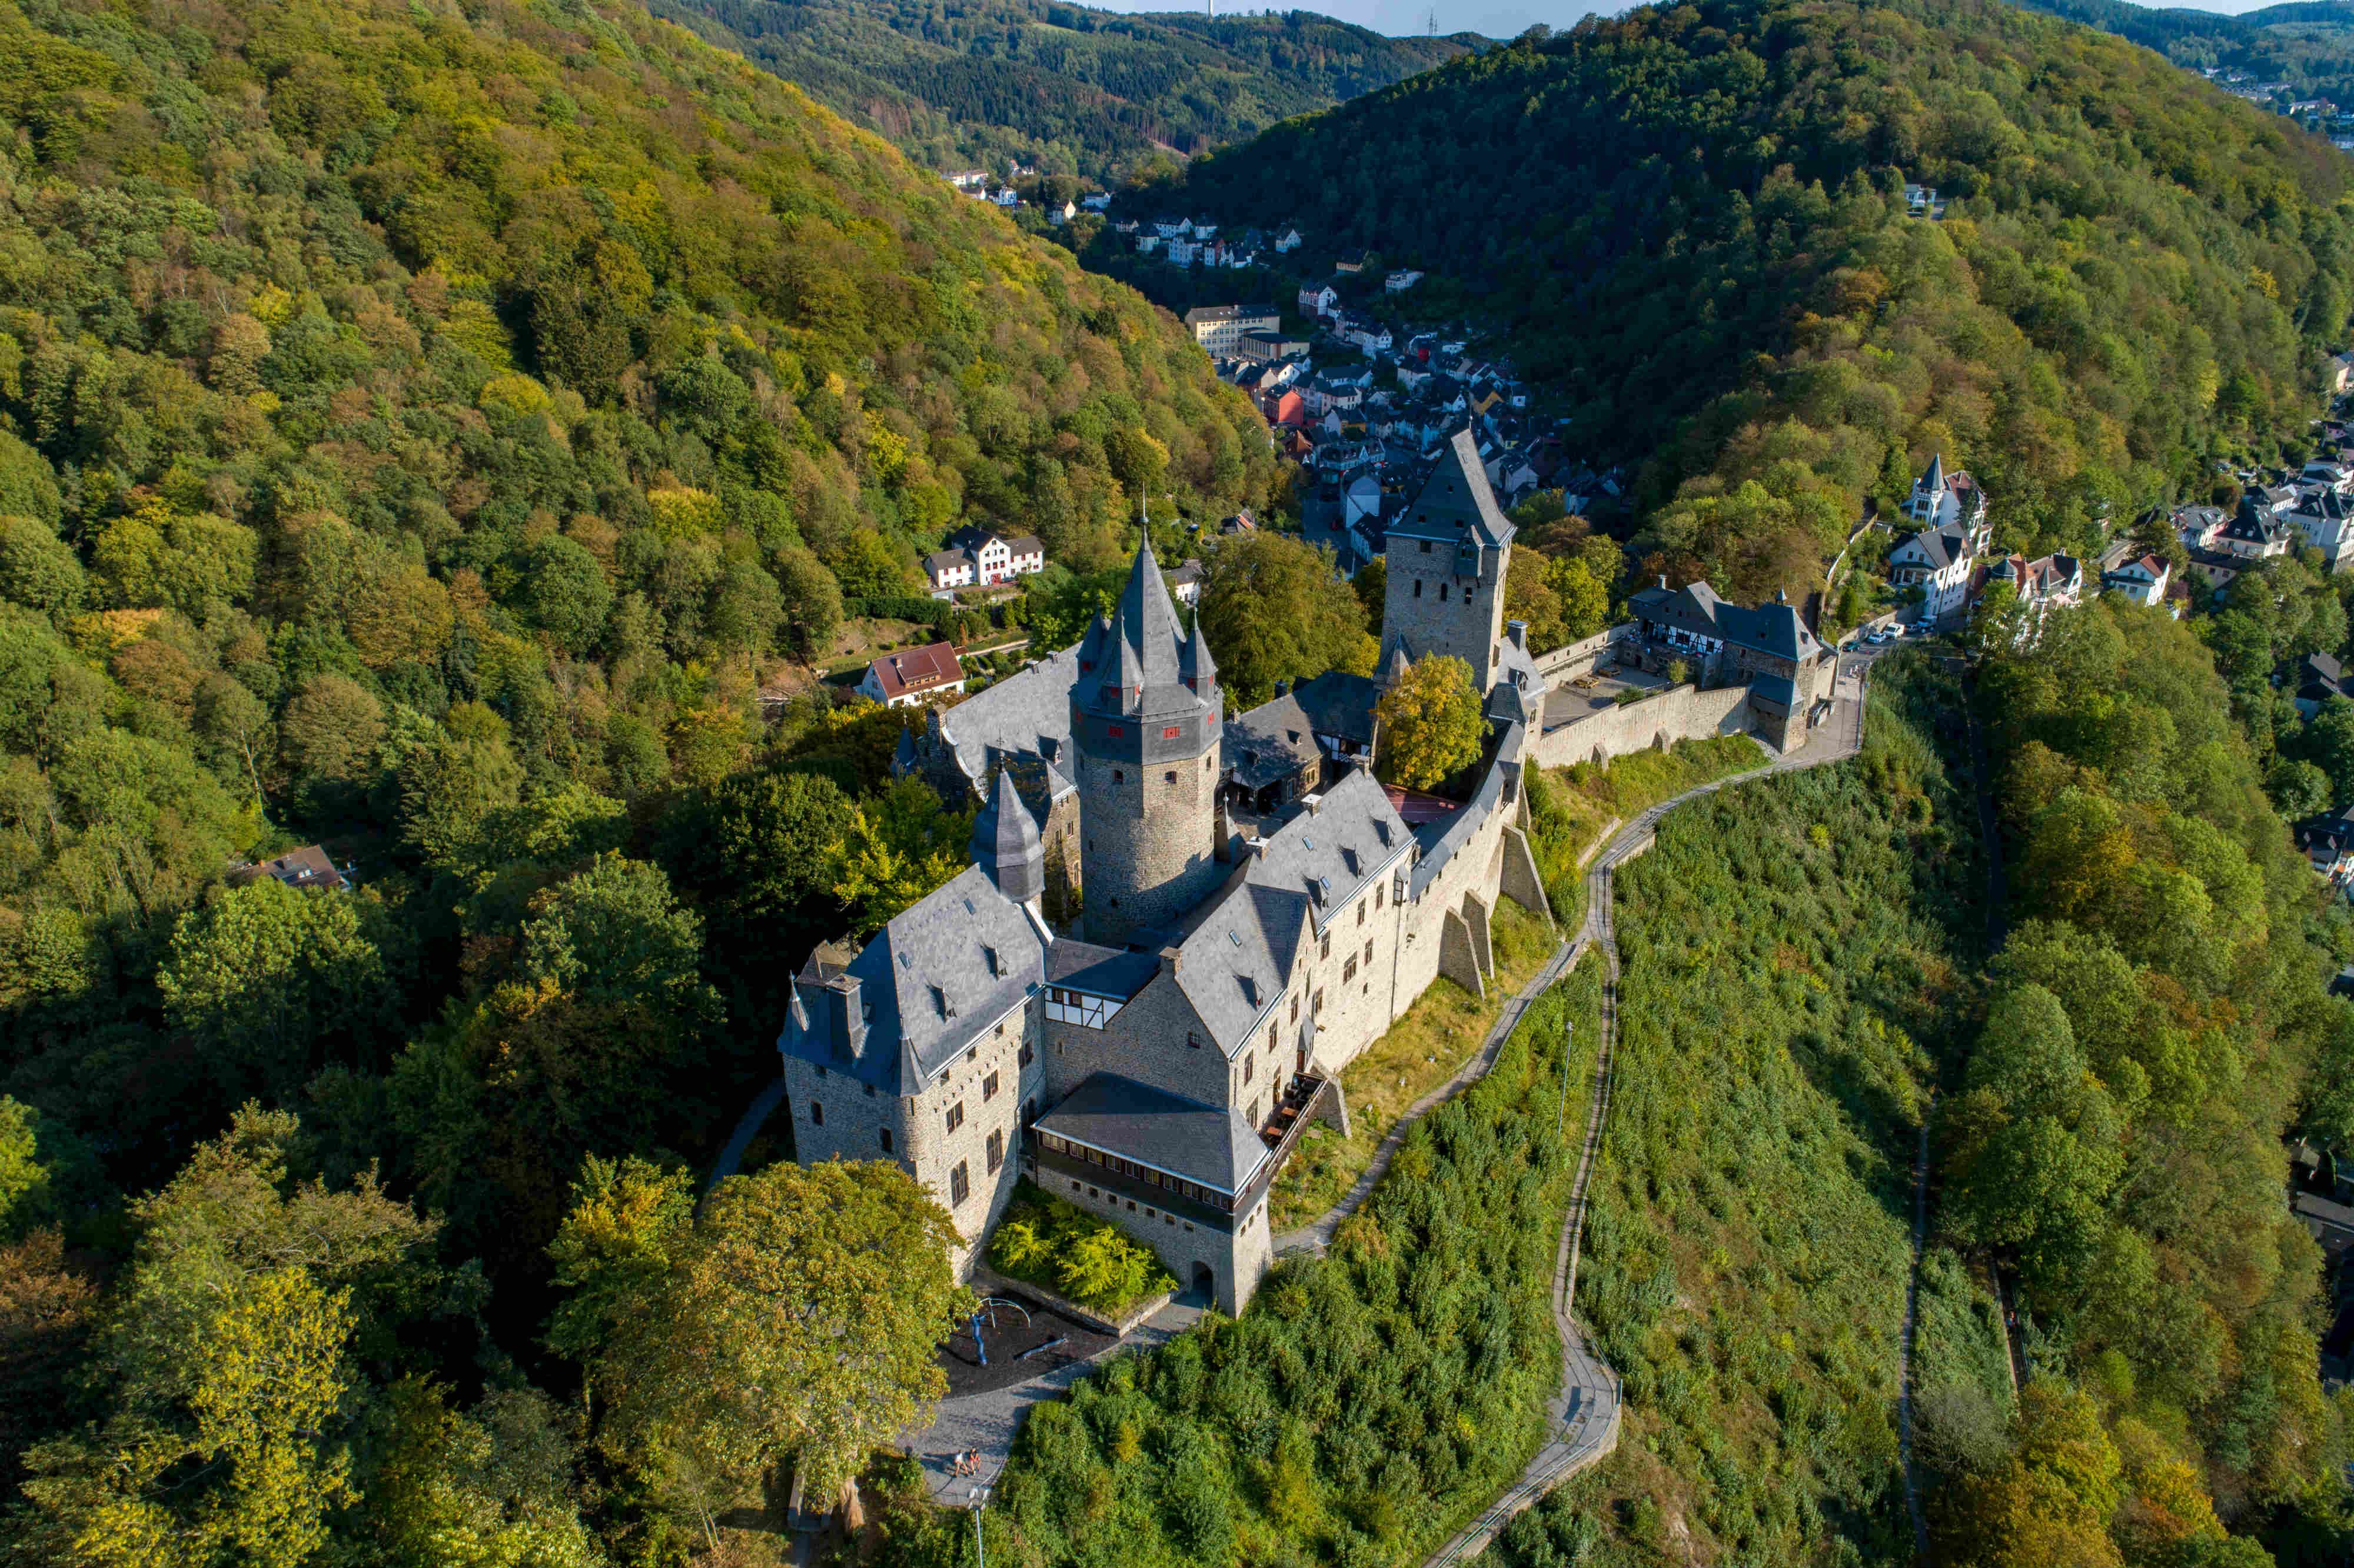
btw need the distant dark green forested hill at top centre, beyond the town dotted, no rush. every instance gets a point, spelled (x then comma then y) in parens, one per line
(1063, 88)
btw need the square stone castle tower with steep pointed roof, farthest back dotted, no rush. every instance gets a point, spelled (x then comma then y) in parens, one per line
(1447, 569)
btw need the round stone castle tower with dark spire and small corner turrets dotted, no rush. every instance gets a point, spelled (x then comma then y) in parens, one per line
(1148, 724)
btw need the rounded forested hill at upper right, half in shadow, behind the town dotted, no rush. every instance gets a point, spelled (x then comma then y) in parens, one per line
(1689, 222)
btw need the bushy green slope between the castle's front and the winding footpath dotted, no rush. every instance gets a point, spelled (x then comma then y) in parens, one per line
(1369, 1402)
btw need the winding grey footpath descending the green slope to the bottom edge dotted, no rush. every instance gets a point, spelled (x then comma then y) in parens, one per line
(1585, 1414)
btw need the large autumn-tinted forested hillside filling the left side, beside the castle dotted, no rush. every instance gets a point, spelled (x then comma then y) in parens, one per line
(423, 427)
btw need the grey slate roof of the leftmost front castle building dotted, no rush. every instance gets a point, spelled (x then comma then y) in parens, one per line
(924, 985)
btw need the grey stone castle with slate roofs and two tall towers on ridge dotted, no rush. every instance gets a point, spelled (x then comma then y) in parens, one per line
(1162, 1065)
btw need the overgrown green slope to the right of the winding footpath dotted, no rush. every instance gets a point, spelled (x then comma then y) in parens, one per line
(1795, 962)
